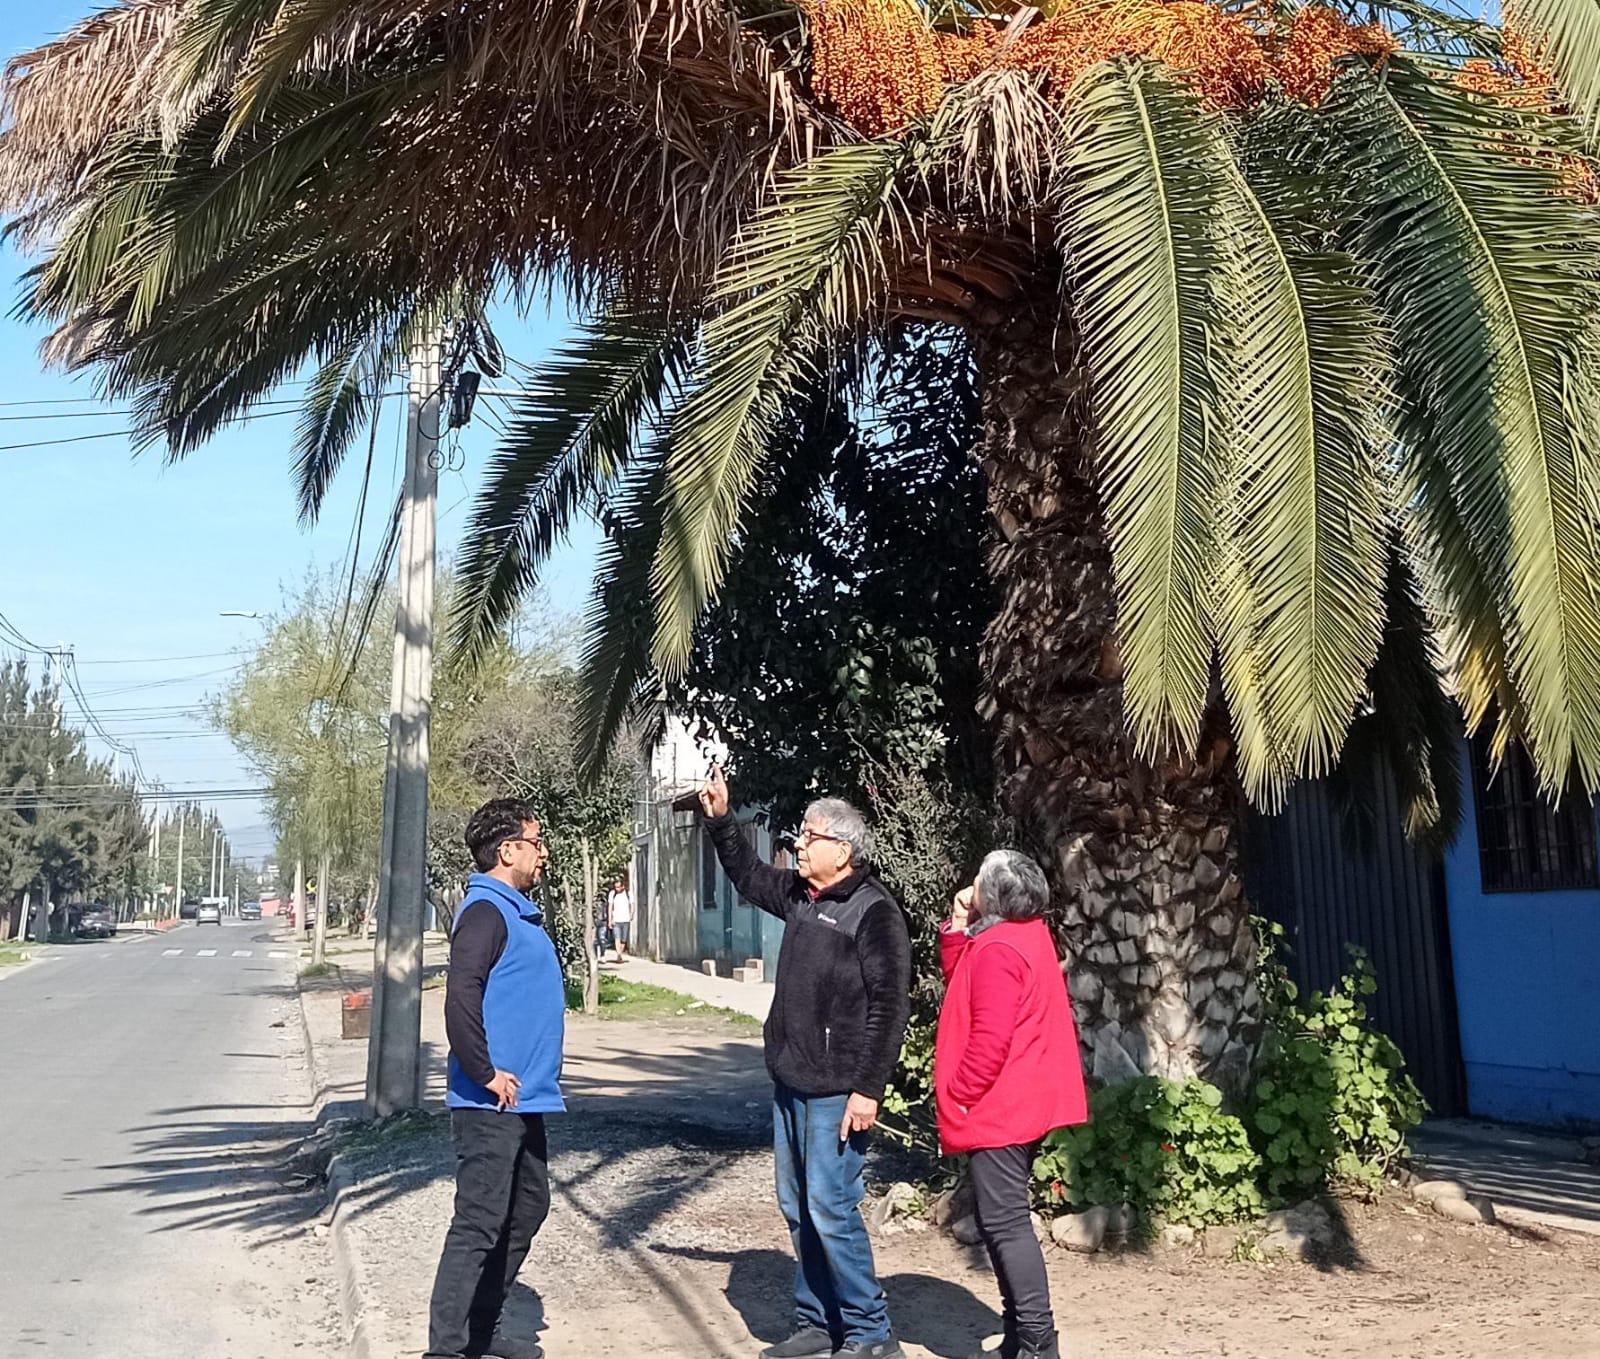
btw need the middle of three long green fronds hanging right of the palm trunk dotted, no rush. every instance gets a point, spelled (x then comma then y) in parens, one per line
(1306, 398)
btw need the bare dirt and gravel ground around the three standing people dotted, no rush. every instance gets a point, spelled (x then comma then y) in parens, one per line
(665, 1241)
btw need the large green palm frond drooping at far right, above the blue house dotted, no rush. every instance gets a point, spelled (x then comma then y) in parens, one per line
(1490, 276)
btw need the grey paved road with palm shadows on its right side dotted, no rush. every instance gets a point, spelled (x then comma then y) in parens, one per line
(150, 1091)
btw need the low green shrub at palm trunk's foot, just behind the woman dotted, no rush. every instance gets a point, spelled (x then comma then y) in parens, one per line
(1167, 1149)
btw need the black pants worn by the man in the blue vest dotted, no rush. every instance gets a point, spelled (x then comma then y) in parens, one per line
(503, 1198)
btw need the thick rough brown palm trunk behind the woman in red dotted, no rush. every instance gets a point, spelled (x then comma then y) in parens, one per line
(1143, 857)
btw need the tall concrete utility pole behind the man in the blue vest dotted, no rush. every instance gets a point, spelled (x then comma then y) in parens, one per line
(394, 1067)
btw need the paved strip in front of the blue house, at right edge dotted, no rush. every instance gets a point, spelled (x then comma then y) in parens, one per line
(1534, 1179)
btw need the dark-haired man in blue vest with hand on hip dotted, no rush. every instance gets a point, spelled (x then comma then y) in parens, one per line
(505, 1016)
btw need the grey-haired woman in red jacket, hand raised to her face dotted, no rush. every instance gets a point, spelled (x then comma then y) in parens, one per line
(1006, 1073)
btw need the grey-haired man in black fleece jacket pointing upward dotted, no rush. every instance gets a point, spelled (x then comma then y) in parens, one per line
(833, 1036)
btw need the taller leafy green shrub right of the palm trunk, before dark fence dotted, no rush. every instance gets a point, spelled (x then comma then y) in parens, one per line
(1329, 1100)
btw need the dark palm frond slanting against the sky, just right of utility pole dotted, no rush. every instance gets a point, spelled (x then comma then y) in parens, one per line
(574, 436)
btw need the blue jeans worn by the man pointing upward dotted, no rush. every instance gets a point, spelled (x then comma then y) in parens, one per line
(820, 1187)
